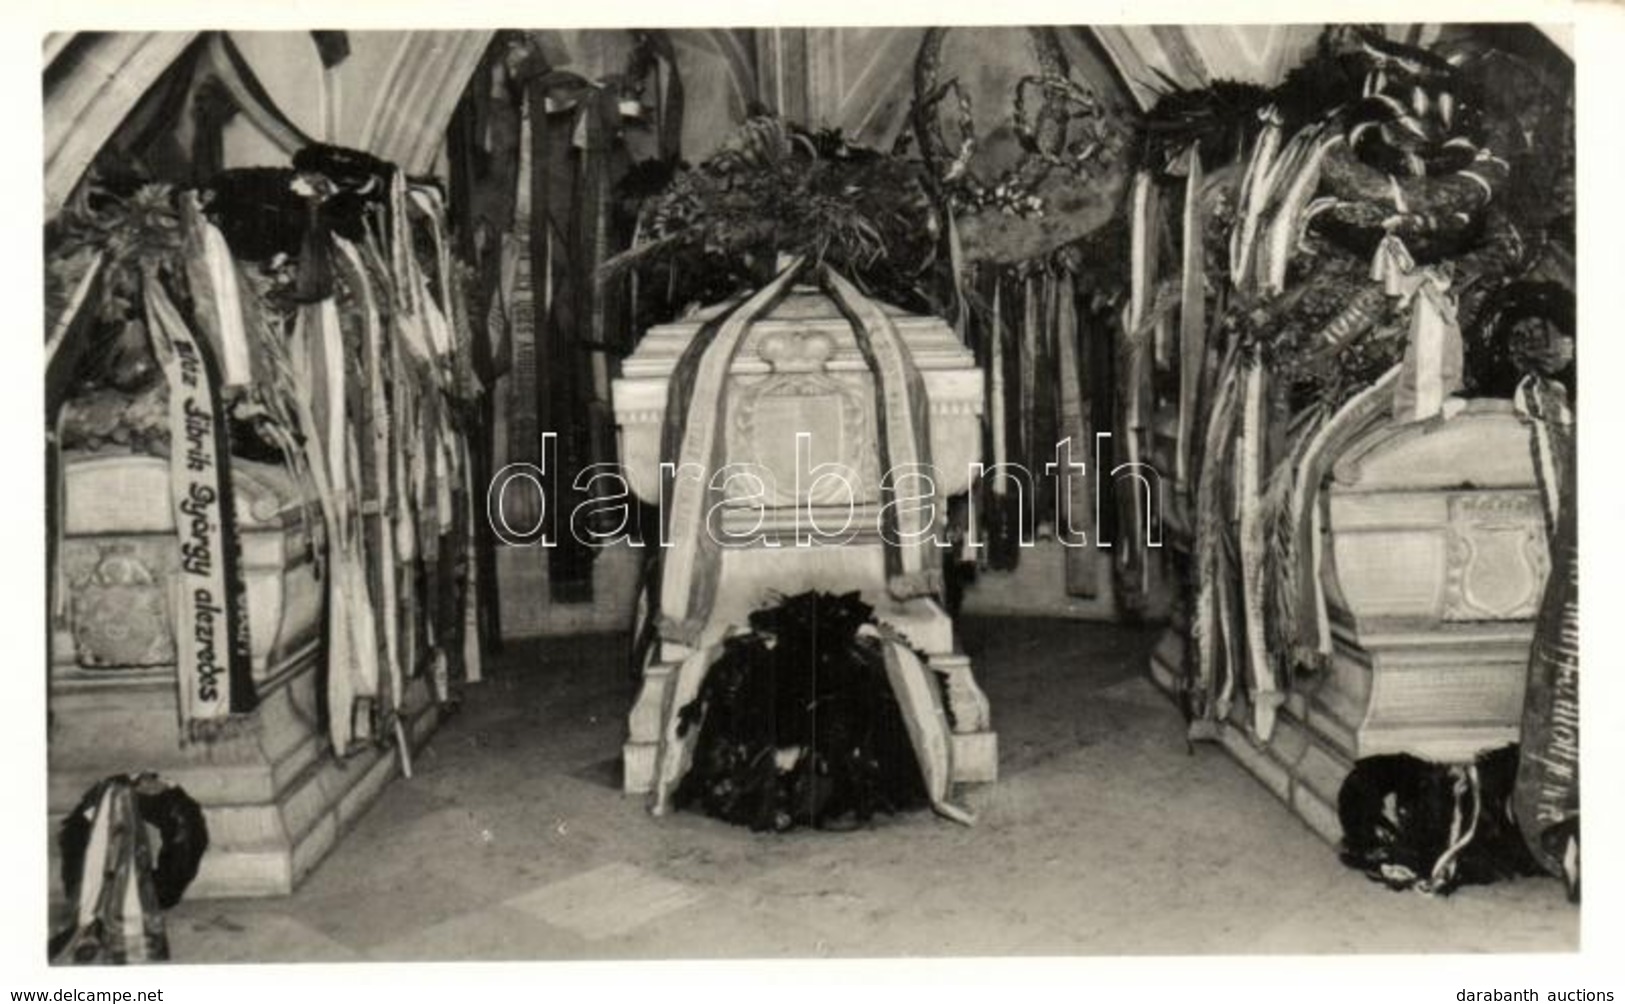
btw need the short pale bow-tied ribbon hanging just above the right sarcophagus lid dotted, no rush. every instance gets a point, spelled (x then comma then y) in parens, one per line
(1432, 366)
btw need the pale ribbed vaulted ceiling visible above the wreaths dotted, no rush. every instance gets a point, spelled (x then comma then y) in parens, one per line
(396, 92)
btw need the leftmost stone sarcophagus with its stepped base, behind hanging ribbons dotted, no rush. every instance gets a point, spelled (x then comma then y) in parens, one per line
(274, 797)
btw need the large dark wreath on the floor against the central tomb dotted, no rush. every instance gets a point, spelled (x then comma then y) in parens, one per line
(799, 725)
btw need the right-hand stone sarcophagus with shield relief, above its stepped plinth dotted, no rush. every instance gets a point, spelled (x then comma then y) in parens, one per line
(1436, 566)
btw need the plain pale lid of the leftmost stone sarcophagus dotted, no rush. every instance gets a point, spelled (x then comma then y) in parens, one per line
(131, 495)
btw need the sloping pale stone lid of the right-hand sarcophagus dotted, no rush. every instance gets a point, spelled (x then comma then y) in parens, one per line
(1483, 448)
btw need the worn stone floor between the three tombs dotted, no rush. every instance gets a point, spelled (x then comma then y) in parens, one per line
(1106, 836)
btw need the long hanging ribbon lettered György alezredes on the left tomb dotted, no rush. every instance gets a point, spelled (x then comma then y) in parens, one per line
(212, 631)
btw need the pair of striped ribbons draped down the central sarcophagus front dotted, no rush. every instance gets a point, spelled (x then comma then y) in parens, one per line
(693, 449)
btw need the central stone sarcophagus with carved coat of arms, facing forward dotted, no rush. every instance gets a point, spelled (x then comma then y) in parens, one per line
(799, 423)
